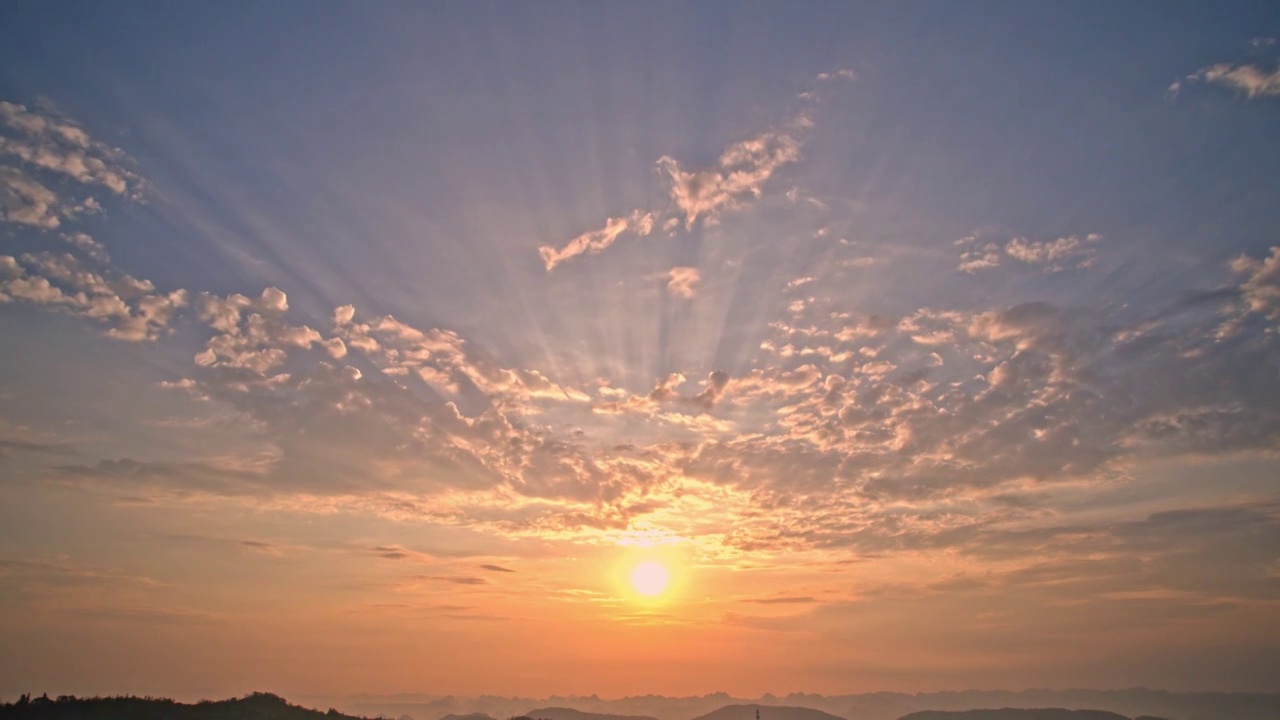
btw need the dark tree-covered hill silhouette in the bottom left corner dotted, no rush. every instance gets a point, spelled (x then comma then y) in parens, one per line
(258, 707)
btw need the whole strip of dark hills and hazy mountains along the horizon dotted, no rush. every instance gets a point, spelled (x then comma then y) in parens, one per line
(1027, 705)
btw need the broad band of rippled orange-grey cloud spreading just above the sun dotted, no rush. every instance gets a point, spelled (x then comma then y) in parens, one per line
(851, 412)
